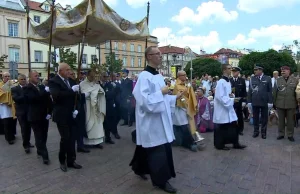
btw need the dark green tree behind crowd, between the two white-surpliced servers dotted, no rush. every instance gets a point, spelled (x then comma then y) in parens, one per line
(204, 65)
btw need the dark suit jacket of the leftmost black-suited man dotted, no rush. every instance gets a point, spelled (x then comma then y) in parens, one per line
(20, 100)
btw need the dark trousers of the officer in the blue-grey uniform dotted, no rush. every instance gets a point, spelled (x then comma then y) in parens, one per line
(263, 112)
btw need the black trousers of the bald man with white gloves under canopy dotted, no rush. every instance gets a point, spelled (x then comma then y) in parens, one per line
(67, 142)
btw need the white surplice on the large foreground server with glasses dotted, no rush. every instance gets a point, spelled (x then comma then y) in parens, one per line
(154, 124)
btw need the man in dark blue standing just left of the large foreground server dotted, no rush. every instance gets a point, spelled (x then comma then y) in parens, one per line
(126, 95)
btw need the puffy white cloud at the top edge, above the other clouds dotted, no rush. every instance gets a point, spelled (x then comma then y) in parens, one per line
(211, 10)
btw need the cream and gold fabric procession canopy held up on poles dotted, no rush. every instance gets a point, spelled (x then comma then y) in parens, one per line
(103, 24)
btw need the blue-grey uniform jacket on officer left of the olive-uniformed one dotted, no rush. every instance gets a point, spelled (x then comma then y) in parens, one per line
(260, 91)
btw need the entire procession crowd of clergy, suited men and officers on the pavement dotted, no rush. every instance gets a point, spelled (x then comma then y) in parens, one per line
(166, 112)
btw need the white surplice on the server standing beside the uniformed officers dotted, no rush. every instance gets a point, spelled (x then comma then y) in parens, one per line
(223, 104)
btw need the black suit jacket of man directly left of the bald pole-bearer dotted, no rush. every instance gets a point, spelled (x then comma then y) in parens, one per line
(39, 102)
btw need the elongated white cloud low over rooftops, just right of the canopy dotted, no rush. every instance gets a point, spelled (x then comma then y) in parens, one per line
(209, 42)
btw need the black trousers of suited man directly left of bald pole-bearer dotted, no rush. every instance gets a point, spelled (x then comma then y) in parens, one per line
(40, 131)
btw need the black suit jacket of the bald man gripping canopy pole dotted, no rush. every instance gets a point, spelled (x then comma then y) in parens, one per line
(63, 99)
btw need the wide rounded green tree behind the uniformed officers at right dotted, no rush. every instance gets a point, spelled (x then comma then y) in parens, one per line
(270, 60)
